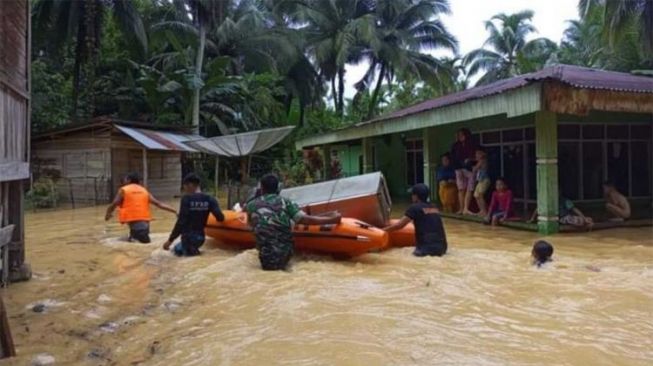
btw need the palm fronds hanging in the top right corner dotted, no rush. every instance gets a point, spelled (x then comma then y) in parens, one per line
(620, 15)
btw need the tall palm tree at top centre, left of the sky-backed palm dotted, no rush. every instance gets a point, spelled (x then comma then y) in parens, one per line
(334, 37)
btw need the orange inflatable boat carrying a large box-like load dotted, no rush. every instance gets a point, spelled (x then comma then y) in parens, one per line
(348, 239)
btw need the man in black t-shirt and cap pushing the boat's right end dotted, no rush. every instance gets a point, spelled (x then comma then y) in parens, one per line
(430, 237)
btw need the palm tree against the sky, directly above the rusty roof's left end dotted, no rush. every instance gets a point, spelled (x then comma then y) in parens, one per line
(404, 29)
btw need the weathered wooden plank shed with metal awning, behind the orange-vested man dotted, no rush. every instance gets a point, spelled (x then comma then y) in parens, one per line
(88, 161)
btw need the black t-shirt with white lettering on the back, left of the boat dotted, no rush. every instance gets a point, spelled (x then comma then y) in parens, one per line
(194, 210)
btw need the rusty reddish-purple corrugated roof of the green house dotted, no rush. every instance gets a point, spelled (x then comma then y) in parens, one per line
(575, 76)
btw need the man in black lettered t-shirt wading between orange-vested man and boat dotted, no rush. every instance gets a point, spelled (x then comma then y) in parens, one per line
(194, 210)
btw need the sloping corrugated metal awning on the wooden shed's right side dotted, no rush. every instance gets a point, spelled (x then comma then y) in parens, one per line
(160, 140)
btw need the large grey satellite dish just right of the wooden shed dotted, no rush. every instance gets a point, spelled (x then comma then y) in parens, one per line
(242, 144)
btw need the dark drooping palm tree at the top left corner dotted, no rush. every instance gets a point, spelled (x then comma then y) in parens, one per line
(61, 21)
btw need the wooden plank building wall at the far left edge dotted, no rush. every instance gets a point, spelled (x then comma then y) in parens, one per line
(14, 132)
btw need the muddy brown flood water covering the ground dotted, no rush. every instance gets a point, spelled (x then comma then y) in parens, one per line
(94, 300)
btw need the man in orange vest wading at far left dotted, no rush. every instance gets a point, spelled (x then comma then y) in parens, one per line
(134, 202)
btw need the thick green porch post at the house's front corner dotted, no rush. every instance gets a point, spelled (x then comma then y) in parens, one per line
(546, 146)
